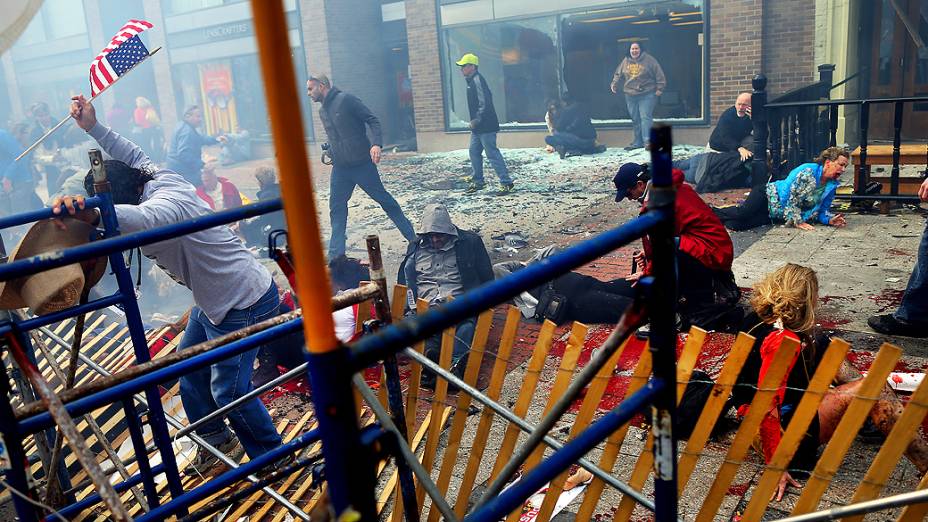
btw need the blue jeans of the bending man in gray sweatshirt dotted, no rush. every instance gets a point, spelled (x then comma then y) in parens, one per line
(208, 389)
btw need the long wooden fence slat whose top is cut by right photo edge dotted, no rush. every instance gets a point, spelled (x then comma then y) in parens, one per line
(905, 429)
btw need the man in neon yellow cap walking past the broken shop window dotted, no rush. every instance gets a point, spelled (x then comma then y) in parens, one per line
(483, 127)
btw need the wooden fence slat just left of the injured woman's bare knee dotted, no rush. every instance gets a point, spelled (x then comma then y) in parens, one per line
(806, 411)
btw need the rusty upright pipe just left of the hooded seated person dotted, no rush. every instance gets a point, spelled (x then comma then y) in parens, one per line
(394, 386)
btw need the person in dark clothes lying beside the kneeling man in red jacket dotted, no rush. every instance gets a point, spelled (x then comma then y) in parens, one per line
(571, 297)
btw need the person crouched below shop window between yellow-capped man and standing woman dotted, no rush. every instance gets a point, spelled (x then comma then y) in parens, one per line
(572, 132)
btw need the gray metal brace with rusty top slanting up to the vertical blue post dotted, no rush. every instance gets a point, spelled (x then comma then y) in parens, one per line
(631, 319)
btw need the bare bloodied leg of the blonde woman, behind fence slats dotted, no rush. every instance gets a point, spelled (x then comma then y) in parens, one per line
(884, 415)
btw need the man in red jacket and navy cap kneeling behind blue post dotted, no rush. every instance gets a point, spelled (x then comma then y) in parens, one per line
(708, 294)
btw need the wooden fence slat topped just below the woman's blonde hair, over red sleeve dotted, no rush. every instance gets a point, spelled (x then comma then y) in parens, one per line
(776, 373)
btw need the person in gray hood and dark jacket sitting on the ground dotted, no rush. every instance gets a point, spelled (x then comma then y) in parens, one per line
(443, 264)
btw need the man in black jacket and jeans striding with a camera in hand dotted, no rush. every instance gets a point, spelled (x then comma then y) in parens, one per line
(354, 159)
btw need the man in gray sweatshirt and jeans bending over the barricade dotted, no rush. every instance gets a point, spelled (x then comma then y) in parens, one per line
(206, 262)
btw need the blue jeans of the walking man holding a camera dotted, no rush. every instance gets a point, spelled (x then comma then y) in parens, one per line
(341, 186)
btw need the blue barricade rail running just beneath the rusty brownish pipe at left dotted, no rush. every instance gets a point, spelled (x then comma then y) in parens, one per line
(138, 383)
